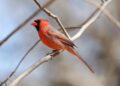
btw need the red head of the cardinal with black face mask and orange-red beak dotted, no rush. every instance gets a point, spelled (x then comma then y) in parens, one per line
(40, 24)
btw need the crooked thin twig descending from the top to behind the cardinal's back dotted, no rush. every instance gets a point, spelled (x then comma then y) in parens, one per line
(53, 16)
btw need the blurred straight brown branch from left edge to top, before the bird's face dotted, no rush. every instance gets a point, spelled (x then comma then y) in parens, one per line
(25, 22)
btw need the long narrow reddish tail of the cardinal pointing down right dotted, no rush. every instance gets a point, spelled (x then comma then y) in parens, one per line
(73, 51)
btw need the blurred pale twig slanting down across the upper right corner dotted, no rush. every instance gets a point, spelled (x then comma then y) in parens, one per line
(113, 19)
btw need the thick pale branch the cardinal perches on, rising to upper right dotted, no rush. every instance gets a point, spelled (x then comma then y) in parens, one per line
(47, 58)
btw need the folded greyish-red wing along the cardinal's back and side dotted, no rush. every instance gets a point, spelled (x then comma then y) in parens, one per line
(60, 36)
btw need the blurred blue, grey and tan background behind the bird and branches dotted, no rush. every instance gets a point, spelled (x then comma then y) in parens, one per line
(99, 45)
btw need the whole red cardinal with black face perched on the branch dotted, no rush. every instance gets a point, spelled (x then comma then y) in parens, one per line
(55, 39)
